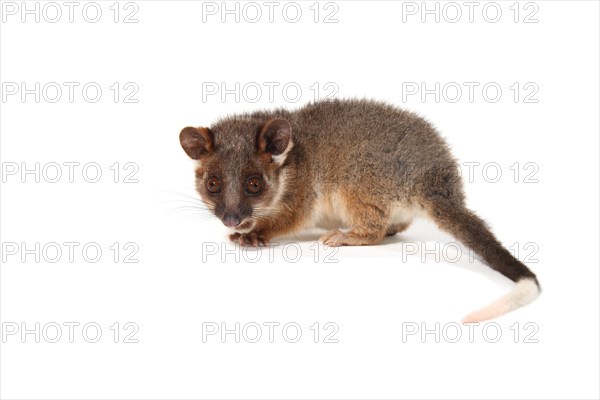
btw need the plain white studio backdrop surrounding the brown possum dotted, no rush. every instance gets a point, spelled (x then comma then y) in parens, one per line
(372, 294)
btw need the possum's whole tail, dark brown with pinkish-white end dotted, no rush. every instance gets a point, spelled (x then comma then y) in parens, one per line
(467, 227)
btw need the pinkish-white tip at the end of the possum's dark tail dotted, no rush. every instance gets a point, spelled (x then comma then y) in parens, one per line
(525, 291)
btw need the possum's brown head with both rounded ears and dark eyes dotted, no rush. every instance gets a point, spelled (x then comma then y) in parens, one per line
(241, 167)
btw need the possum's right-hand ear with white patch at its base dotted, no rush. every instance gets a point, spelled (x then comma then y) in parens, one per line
(275, 139)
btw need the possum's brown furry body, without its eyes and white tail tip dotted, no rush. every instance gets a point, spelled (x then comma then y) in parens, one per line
(362, 162)
